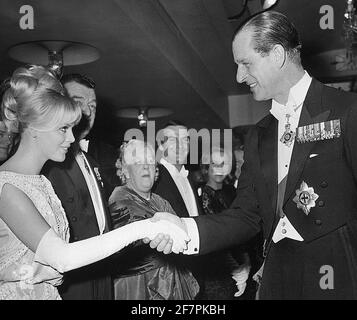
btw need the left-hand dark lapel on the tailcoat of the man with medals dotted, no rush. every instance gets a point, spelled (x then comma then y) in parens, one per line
(268, 151)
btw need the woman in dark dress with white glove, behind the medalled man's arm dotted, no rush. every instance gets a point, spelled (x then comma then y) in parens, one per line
(227, 270)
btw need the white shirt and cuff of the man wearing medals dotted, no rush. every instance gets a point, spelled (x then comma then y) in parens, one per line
(293, 107)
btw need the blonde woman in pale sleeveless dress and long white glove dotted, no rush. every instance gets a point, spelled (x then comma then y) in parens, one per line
(34, 233)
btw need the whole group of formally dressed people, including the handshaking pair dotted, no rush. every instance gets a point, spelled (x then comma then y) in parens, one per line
(81, 219)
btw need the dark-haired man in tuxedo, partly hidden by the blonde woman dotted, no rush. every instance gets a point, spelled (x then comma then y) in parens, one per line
(78, 184)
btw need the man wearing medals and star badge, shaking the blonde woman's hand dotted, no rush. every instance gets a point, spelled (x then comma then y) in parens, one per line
(299, 178)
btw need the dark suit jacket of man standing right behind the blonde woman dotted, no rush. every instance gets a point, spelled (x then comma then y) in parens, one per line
(92, 282)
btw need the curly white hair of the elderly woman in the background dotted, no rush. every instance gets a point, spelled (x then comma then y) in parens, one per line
(129, 148)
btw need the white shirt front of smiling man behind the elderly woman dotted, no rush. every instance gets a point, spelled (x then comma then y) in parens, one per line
(183, 185)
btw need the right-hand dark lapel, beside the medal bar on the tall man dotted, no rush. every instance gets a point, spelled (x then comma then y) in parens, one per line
(310, 113)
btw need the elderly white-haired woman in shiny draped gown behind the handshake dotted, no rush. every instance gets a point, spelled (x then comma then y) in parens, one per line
(142, 273)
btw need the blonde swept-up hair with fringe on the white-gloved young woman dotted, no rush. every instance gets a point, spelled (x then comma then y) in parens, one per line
(36, 98)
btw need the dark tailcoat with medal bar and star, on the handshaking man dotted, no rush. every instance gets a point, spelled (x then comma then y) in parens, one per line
(331, 226)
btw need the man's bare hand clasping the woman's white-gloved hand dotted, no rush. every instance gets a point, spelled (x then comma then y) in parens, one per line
(163, 243)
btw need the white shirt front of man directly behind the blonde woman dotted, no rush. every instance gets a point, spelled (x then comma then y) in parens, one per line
(93, 189)
